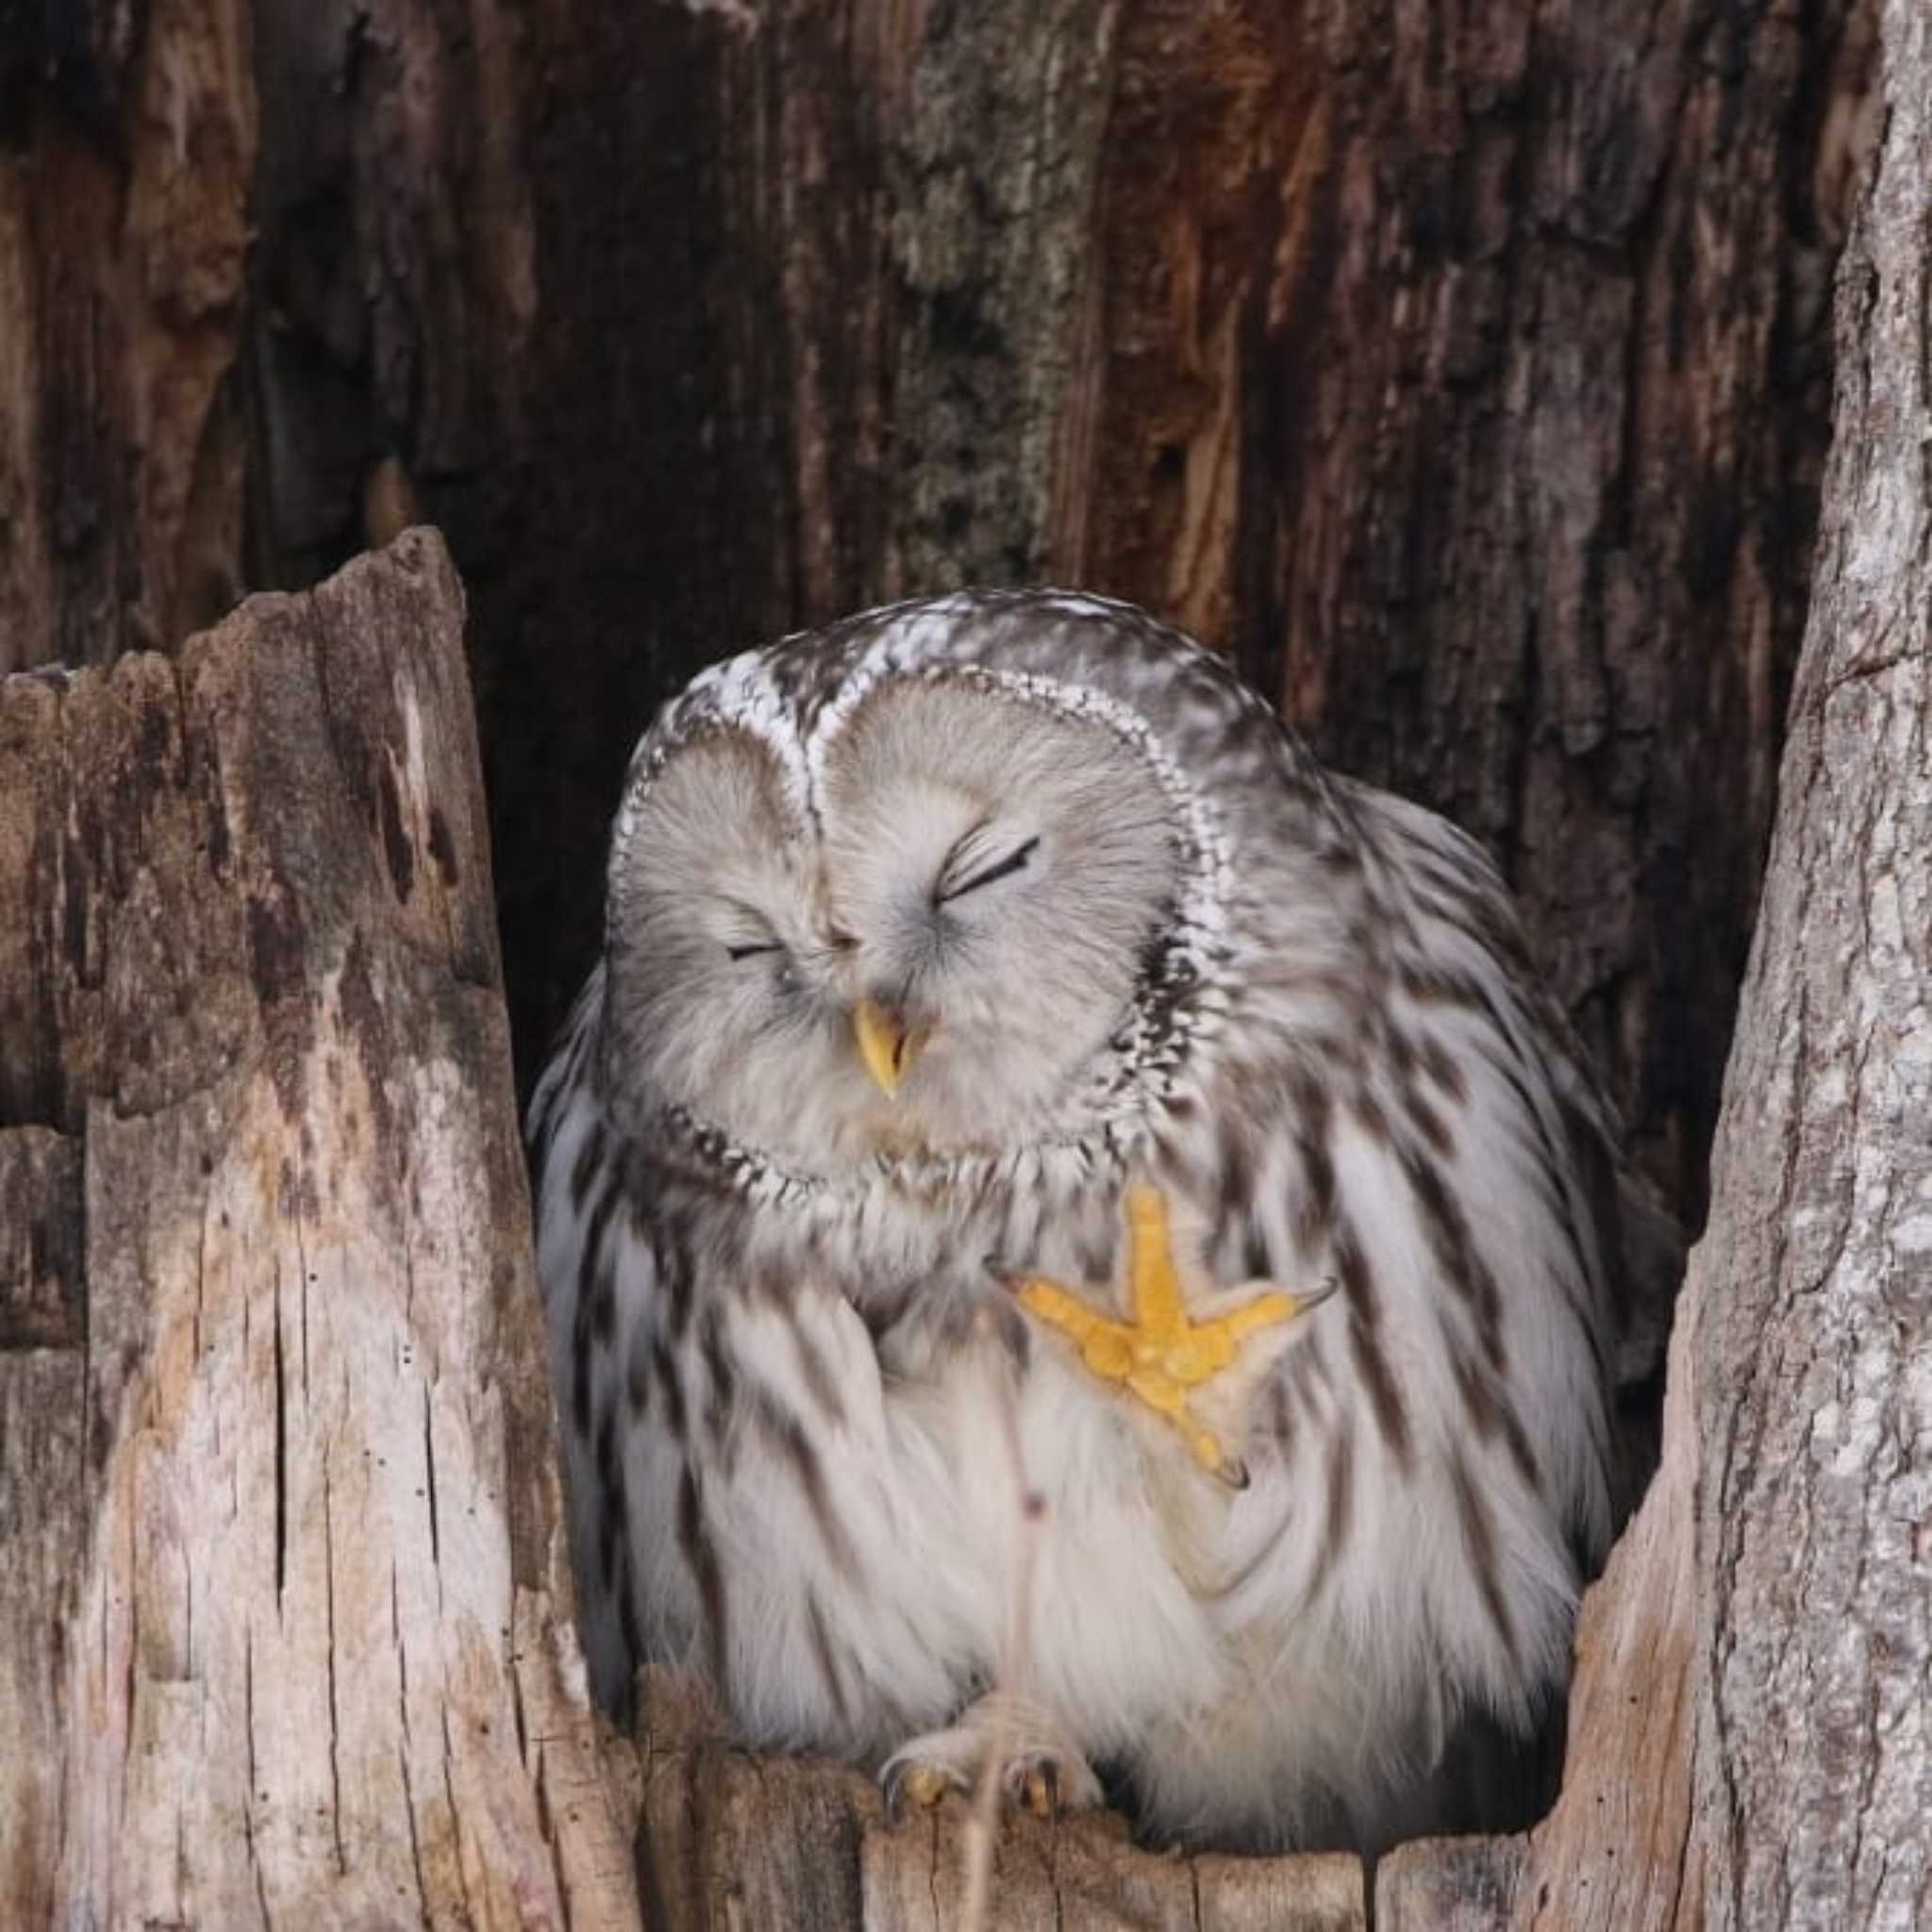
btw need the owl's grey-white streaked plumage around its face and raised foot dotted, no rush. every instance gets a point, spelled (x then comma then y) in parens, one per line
(780, 1380)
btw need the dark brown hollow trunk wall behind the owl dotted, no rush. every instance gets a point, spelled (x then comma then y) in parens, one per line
(1462, 372)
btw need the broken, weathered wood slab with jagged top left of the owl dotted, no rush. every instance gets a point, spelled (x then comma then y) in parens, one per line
(283, 1616)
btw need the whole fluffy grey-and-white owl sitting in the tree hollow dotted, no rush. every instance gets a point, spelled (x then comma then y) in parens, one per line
(1029, 1116)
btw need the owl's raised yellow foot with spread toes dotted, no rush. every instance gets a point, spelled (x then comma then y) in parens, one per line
(1160, 1355)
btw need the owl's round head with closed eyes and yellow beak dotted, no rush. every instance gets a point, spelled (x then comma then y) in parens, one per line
(924, 886)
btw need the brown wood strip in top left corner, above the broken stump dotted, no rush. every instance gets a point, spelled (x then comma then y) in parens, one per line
(128, 140)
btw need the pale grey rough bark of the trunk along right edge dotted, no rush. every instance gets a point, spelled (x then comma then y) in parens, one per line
(1815, 1475)
